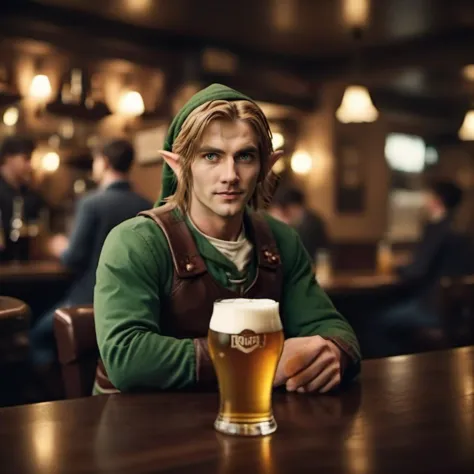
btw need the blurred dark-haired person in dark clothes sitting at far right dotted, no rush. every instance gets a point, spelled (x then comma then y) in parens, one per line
(440, 252)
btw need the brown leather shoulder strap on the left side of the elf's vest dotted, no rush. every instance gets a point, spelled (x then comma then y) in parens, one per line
(186, 258)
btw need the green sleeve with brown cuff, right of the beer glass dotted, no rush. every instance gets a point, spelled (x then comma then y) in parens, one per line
(307, 310)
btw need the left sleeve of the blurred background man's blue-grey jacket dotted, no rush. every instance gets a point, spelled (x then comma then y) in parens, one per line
(81, 241)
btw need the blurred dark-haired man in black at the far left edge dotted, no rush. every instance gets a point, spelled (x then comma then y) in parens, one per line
(15, 178)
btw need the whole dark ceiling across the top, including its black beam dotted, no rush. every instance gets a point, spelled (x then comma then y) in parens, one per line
(411, 57)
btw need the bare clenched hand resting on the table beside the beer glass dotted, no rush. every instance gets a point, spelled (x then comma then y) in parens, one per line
(310, 364)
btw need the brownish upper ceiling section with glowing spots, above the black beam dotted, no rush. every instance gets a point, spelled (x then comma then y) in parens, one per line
(307, 28)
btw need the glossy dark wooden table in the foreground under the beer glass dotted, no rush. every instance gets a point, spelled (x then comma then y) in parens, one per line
(408, 414)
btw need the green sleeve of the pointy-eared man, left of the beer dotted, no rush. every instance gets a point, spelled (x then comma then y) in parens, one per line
(127, 308)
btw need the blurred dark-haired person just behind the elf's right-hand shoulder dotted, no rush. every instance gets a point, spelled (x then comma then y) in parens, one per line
(289, 206)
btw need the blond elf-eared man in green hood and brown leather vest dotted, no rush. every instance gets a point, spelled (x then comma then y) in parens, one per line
(160, 273)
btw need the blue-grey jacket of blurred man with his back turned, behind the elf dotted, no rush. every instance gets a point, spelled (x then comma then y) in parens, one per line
(96, 215)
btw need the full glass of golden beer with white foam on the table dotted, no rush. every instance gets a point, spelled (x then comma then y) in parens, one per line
(245, 344)
